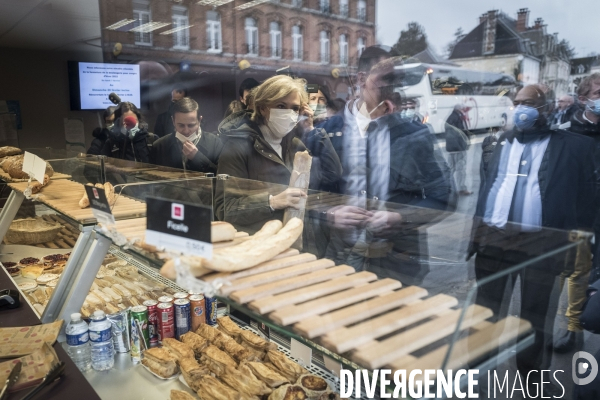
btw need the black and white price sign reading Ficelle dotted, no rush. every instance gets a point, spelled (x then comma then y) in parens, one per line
(178, 226)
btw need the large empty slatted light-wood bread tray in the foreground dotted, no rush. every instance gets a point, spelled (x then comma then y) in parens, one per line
(374, 322)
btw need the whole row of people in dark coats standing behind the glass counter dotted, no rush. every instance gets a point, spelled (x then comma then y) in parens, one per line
(539, 180)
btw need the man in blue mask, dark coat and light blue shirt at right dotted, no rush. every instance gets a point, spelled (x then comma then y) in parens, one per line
(540, 185)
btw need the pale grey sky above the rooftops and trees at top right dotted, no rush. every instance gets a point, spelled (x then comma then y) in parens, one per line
(576, 21)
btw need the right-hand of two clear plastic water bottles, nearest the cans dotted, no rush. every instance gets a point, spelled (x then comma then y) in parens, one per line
(103, 351)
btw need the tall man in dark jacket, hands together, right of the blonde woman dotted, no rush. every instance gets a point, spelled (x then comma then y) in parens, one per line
(395, 179)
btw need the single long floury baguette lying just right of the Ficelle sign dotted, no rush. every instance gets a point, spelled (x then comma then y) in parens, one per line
(254, 251)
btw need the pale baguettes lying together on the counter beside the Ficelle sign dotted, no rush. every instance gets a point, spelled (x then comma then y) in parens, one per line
(271, 240)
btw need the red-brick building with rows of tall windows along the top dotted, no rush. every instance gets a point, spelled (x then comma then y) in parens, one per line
(213, 45)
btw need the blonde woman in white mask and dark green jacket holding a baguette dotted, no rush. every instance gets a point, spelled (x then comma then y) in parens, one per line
(261, 146)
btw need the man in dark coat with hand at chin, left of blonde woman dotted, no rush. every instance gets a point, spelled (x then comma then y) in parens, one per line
(188, 147)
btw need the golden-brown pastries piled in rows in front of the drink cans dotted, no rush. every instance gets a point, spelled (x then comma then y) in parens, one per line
(229, 363)
